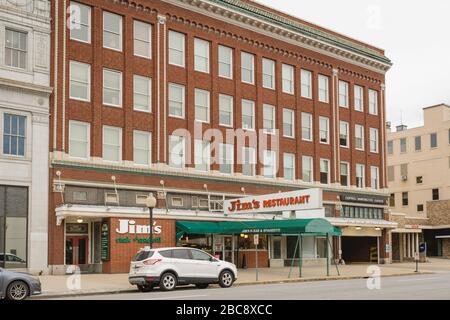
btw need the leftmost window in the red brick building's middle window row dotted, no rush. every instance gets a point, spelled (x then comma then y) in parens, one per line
(80, 81)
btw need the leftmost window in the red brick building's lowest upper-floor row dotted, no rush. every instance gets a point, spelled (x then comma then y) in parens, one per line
(79, 139)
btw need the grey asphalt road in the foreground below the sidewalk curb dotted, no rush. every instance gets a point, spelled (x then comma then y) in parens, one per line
(417, 287)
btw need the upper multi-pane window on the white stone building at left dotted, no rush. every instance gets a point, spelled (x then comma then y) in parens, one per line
(15, 49)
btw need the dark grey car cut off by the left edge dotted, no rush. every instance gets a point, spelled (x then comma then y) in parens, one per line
(18, 285)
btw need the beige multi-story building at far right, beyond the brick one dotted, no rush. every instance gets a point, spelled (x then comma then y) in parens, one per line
(418, 175)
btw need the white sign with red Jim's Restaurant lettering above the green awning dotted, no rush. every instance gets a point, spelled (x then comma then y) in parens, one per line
(288, 201)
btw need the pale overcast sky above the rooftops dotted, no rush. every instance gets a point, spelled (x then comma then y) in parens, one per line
(415, 35)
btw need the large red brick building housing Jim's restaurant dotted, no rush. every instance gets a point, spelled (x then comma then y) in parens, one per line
(136, 85)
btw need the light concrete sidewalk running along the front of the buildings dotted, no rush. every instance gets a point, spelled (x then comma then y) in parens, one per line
(86, 284)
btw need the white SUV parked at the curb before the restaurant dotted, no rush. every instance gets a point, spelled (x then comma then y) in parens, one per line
(169, 267)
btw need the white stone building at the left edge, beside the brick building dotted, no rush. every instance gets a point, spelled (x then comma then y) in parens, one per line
(24, 130)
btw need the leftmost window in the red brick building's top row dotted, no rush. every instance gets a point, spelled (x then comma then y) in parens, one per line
(80, 22)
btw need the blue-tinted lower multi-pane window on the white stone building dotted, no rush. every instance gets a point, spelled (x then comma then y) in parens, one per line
(14, 134)
